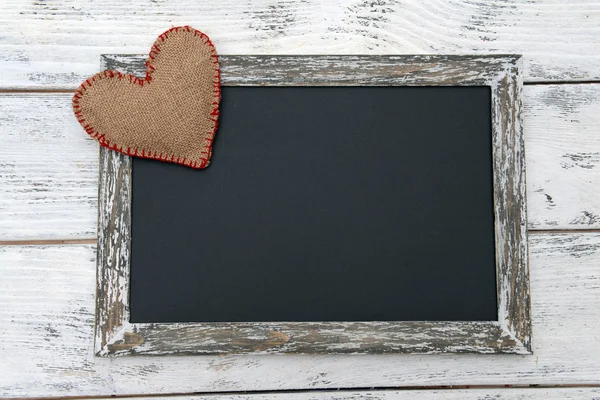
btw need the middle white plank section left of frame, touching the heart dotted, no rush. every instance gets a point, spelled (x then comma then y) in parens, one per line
(48, 170)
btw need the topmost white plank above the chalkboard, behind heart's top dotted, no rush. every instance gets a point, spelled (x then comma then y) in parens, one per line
(57, 45)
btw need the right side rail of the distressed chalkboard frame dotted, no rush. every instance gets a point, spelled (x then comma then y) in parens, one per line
(510, 205)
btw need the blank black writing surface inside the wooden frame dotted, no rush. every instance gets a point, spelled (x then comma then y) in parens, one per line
(323, 204)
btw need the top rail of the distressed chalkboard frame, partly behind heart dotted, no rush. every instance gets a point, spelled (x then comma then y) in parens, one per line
(330, 70)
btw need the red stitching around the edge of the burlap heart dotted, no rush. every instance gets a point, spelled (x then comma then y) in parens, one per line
(107, 74)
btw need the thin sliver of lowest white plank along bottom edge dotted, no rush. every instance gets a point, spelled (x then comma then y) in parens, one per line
(443, 394)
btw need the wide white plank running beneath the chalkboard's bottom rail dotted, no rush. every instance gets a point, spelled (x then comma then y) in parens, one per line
(46, 332)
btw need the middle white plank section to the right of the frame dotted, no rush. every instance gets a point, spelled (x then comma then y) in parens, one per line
(562, 131)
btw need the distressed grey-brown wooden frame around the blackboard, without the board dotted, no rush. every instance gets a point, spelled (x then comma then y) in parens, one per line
(511, 333)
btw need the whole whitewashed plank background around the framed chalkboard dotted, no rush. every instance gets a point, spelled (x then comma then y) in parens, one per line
(49, 173)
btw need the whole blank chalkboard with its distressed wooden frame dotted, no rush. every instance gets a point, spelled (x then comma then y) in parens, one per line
(353, 204)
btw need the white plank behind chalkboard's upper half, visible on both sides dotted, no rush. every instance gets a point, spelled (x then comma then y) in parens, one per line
(48, 167)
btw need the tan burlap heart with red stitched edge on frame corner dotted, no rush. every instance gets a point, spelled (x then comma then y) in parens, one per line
(170, 115)
